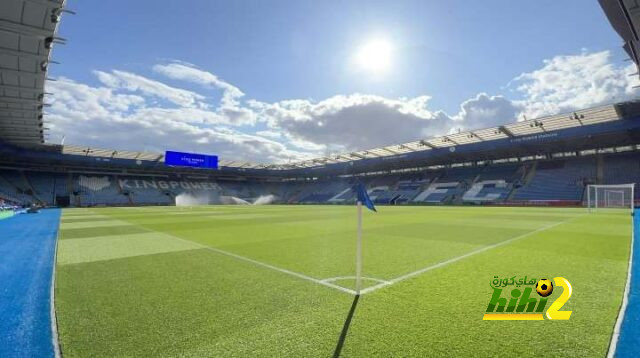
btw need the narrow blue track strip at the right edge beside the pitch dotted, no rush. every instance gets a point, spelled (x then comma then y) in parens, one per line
(629, 341)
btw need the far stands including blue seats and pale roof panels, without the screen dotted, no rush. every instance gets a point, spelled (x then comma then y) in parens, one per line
(546, 161)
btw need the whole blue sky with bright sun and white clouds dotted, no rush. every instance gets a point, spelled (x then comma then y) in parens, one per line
(278, 81)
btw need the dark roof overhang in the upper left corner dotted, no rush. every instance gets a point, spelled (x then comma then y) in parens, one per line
(27, 34)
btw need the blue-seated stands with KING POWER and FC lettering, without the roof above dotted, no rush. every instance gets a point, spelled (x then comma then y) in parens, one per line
(537, 181)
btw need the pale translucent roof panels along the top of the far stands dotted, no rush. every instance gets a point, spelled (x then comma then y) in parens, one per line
(580, 118)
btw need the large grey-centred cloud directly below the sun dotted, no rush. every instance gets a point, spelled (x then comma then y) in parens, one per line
(351, 122)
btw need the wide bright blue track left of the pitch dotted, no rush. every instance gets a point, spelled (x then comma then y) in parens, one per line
(27, 252)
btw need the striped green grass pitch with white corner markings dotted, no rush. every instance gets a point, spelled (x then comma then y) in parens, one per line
(270, 281)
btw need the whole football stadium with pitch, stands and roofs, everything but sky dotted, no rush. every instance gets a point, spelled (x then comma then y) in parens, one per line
(514, 239)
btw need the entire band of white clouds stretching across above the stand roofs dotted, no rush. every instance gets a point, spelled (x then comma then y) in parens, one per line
(124, 113)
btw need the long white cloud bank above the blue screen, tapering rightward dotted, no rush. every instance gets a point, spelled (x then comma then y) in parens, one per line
(99, 118)
